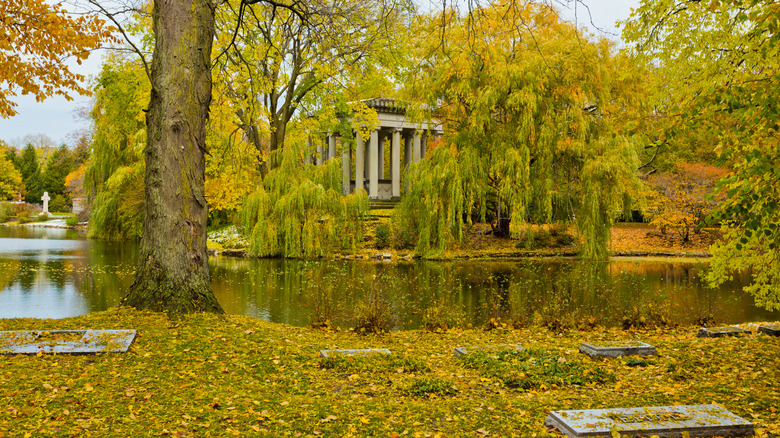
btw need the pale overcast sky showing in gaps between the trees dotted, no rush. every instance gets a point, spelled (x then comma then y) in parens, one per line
(57, 117)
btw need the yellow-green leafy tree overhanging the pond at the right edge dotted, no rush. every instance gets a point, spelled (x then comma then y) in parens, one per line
(723, 60)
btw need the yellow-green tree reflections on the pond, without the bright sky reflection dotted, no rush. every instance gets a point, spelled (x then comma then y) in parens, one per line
(298, 292)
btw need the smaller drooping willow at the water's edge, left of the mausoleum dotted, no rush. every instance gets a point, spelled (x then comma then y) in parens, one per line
(299, 211)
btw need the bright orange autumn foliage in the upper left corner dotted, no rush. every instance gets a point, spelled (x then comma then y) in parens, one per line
(36, 38)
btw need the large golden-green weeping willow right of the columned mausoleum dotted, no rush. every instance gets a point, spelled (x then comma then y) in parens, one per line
(532, 109)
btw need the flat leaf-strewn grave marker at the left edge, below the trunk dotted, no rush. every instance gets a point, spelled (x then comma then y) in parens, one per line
(66, 341)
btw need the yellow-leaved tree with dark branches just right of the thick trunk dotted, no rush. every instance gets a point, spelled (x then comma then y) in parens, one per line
(272, 61)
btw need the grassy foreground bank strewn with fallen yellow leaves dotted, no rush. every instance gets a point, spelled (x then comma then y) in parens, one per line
(209, 375)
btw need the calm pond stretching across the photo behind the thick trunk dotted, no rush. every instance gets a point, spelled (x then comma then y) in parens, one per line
(56, 273)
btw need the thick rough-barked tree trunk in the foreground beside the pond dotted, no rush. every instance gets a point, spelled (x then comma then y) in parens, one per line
(173, 273)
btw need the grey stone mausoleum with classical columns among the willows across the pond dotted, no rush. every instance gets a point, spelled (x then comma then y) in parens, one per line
(375, 163)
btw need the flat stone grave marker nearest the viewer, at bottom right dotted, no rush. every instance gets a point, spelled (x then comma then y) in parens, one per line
(663, 421)
